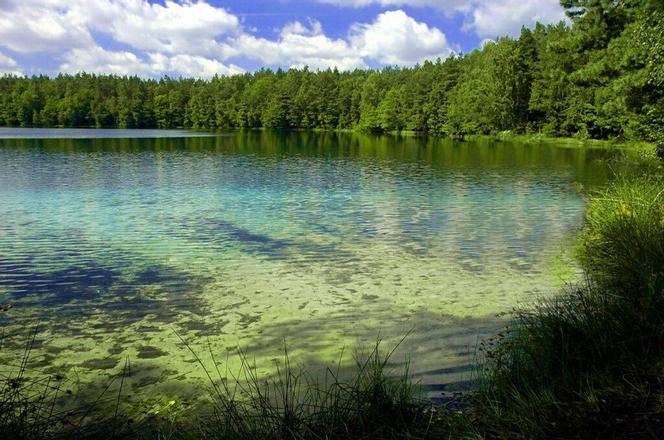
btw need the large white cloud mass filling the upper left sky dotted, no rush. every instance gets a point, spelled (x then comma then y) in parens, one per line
(184, 38)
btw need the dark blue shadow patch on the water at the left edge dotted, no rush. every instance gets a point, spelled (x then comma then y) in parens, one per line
(125, 292)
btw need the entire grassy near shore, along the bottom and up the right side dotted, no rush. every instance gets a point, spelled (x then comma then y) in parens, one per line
(587, 364)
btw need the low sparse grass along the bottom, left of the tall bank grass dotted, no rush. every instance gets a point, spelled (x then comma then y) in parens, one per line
(369, 403)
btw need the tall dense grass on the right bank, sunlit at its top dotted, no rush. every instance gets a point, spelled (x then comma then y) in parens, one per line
(589, 364)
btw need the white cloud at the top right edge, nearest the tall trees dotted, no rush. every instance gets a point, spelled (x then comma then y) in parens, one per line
(485, 18)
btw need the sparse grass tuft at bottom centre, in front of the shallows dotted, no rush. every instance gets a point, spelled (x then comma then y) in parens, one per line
(373, 403)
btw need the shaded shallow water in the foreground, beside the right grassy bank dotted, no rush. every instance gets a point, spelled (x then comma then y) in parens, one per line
(441, 350)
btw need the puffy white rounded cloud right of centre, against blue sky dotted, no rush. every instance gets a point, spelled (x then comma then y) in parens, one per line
(396, 38)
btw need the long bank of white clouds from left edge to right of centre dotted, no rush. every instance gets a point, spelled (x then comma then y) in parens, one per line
(195, 38)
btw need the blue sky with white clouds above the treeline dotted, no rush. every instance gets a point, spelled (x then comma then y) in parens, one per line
(203, 38)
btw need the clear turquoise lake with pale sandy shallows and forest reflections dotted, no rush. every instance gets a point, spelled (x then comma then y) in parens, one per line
(113, 242)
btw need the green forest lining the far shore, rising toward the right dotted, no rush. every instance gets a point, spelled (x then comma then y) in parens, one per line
(600, 75)
